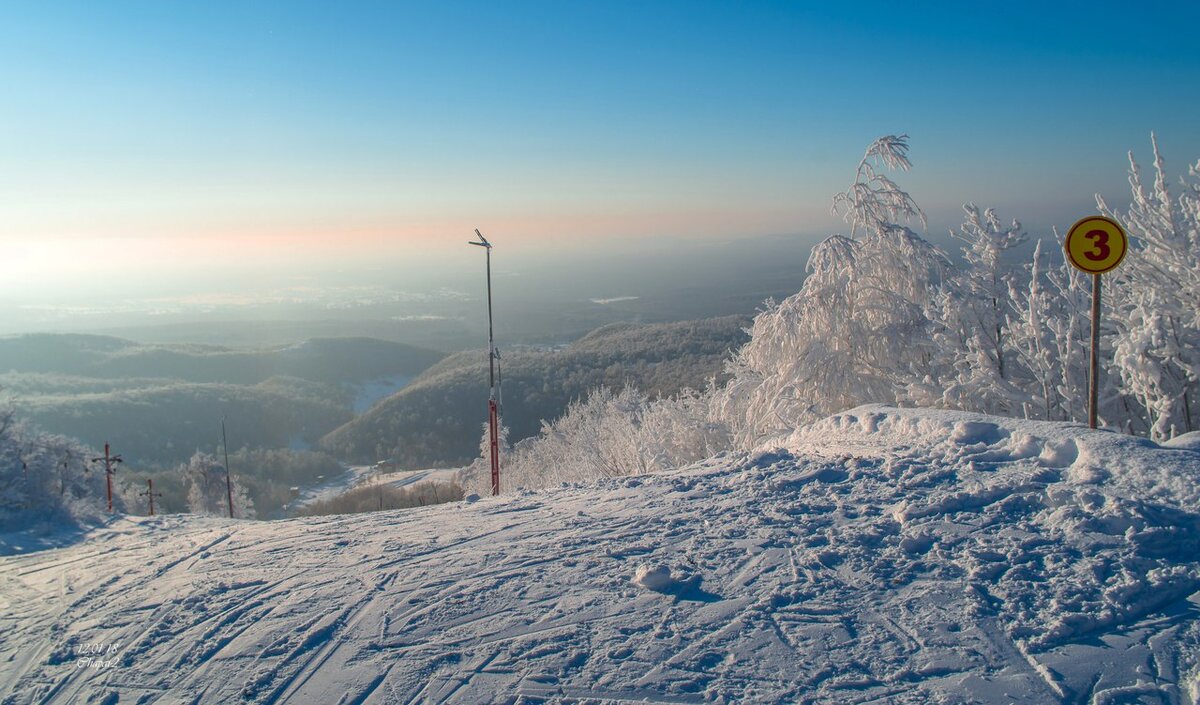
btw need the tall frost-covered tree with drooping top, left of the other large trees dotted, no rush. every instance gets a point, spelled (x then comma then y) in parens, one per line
(859, 330)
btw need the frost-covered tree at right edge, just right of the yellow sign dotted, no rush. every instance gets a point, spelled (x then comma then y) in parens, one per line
(1156, 293)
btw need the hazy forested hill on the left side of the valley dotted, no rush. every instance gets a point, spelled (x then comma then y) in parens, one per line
(158, 405)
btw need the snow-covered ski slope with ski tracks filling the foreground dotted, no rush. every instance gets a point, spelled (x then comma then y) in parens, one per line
(880, 556)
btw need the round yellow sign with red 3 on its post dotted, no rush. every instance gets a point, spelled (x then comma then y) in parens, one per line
(1095, 245)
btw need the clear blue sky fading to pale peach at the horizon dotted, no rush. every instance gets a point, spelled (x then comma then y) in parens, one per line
(161, 147)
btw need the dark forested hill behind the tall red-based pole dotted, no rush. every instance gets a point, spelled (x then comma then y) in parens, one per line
(437, 419)
